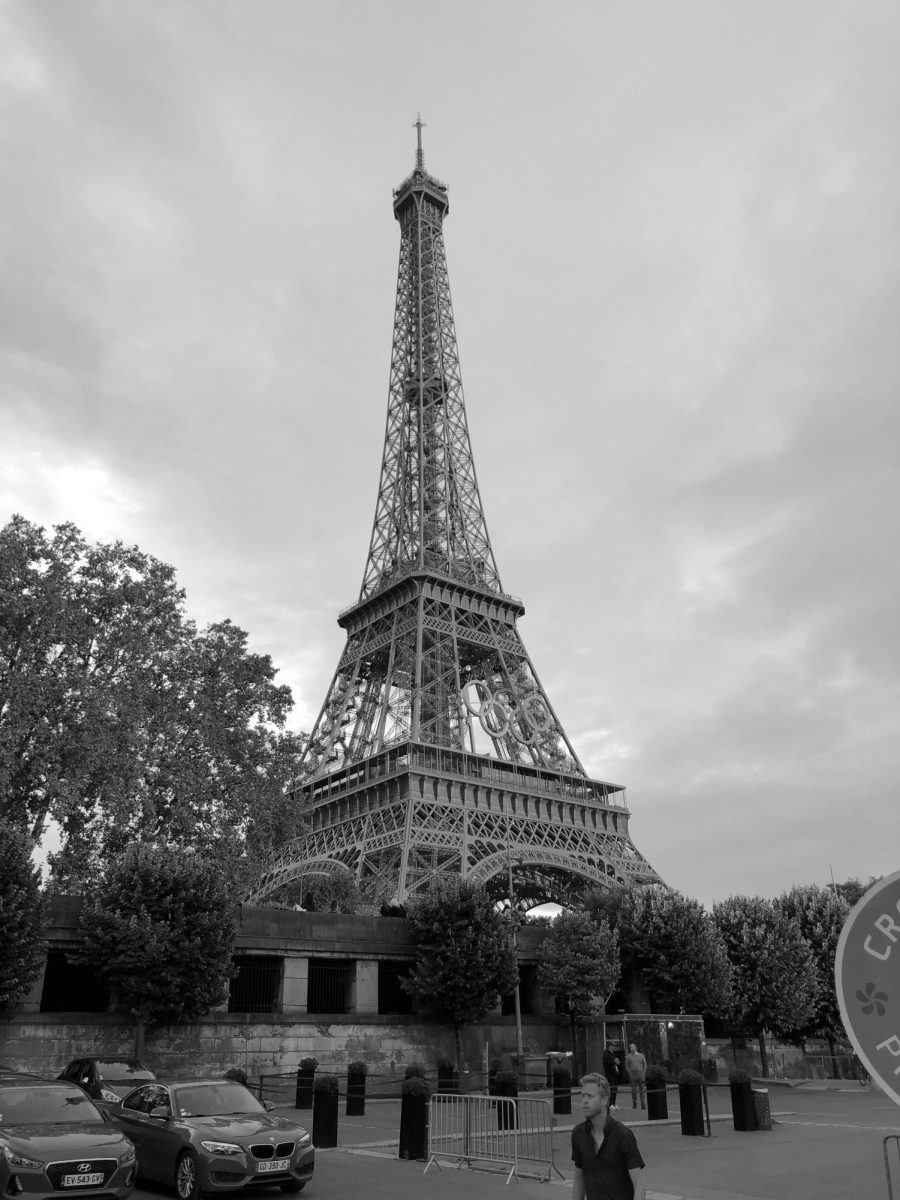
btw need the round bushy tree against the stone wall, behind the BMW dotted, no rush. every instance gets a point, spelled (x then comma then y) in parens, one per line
(159, 928)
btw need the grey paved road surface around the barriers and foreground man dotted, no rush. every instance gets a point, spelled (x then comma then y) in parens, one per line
(826, 1145)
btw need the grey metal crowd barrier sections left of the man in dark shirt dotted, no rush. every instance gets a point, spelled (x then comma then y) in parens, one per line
(491, 1133)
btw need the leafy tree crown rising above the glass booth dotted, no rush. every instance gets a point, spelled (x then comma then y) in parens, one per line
(681, 955)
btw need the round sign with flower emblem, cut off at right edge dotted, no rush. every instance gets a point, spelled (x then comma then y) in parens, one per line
(867, 976)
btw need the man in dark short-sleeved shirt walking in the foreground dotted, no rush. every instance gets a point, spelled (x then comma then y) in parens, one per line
(608, 1162)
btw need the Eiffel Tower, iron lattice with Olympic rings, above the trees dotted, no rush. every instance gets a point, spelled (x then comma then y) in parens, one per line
(437, 749)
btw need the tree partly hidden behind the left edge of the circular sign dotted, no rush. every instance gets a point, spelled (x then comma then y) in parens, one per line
(820, 915)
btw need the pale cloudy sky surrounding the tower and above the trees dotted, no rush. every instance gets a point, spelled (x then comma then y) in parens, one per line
(675, 250)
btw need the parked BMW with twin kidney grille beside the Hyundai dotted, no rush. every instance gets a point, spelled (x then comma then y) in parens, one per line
(213, 1136)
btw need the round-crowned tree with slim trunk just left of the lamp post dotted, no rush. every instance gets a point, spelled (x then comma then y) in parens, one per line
(465, 955)
